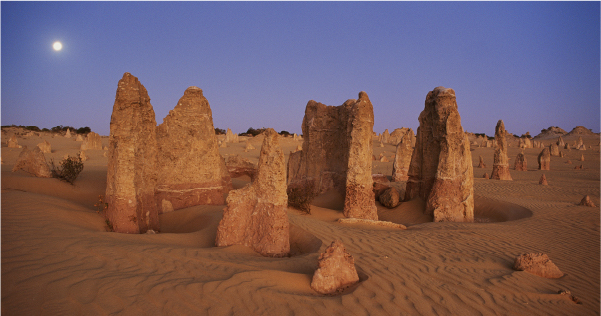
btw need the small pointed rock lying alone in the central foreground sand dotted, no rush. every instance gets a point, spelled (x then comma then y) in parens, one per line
(336, 270)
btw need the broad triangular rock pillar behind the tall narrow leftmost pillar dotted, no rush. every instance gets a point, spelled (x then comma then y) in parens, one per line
(190, 170)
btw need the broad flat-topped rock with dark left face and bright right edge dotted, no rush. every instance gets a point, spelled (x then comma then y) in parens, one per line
(337, 152)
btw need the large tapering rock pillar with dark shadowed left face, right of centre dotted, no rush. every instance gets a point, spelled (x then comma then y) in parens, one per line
(441, 171)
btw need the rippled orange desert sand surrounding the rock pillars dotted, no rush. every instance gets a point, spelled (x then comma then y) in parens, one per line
(59, 259)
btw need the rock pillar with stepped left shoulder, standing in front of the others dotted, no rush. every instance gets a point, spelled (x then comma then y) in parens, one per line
(256, 215)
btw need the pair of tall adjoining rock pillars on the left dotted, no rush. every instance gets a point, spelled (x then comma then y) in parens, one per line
(176, 163)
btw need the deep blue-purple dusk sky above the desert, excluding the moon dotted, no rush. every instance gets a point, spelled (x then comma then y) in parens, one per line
(532, 64)
